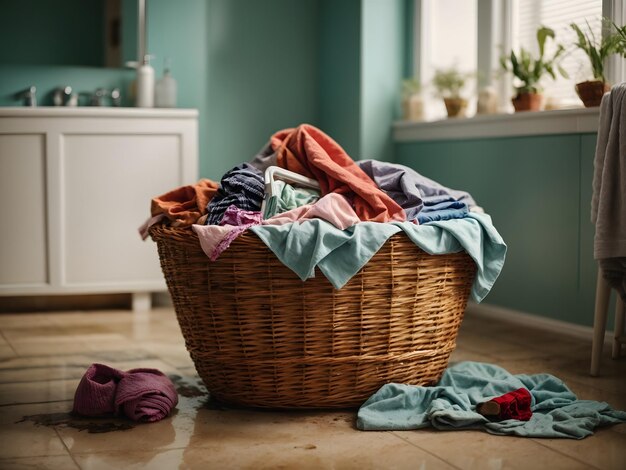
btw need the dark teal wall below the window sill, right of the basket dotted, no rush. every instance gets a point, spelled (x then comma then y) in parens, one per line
(538, 192)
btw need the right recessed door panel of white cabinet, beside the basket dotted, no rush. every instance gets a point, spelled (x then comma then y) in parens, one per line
(108, 181)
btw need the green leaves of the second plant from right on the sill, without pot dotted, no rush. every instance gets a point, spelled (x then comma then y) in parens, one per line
(528, 69)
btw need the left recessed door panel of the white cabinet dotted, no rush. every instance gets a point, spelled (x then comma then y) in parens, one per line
(23, 251)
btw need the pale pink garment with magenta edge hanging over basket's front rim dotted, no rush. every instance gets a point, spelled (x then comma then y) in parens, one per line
(215, 239)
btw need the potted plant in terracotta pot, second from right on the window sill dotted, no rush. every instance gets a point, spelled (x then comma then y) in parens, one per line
(530, 70)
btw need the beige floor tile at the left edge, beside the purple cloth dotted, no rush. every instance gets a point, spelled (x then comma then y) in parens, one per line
(37, 392)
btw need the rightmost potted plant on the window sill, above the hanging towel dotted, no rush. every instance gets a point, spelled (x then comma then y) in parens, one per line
(597, 51)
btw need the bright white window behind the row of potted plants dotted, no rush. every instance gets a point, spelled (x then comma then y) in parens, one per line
(473, 34)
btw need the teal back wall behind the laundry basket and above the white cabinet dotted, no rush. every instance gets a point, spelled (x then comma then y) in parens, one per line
(252, 68)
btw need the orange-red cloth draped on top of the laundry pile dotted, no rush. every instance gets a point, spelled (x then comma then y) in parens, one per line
(309, 151)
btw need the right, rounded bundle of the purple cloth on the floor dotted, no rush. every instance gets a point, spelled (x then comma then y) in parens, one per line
(145, 395)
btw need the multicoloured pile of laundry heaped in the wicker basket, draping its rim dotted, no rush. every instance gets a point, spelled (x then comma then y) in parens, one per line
(315, 207)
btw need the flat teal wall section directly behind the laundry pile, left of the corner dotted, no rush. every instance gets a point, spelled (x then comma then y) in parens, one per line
(262, 76)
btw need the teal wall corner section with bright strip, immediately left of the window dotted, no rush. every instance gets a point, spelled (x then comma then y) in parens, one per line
(362, 55)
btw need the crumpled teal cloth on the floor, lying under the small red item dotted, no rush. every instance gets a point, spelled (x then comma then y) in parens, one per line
(451, 404)
